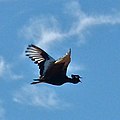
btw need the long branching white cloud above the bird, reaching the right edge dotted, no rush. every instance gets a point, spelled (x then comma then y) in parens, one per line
(45, 31)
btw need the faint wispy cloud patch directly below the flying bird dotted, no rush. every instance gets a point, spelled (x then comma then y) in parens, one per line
(39, 97)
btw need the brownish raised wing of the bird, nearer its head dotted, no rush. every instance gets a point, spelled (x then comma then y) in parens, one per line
(64, 61)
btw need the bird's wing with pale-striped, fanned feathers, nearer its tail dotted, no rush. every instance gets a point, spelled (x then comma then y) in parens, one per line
(39, 57)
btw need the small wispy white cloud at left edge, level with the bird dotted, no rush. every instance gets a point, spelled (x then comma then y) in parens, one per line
(6, 70)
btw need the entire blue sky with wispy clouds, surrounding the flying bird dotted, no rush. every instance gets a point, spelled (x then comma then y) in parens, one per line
(91, 29)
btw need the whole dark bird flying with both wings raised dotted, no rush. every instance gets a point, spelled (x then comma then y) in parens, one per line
(51, 71)
